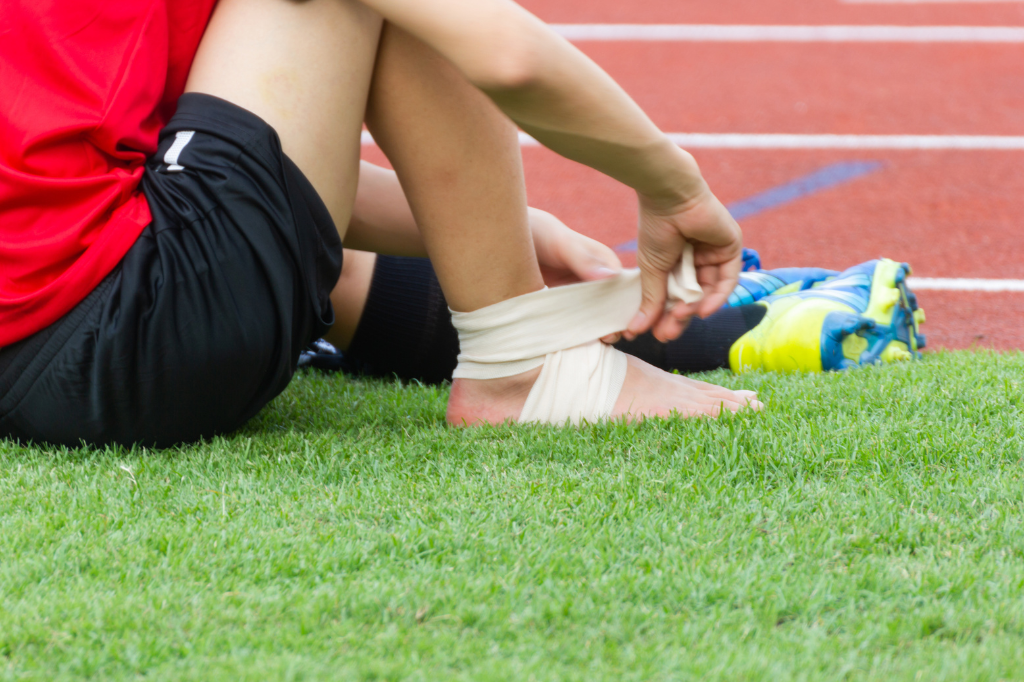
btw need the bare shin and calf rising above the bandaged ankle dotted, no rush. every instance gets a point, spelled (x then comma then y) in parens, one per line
(471, 206)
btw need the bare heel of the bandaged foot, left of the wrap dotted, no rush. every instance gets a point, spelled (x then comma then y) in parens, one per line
(490, 402)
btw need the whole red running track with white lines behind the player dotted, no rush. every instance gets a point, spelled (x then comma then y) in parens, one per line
(951, 214)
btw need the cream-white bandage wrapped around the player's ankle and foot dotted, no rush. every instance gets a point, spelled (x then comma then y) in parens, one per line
(560, 328)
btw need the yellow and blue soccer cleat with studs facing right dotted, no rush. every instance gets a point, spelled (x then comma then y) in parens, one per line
(864, 316)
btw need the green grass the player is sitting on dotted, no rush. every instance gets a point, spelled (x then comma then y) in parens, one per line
(868, 526)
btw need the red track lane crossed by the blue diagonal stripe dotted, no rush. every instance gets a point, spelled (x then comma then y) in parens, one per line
(948, 214)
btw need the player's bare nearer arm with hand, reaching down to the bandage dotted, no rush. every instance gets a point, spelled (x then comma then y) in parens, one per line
(569, 104)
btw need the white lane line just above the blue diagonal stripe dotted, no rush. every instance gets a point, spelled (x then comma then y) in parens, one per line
(793, 142)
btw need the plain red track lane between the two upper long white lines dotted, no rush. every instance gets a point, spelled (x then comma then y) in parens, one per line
(942, 90)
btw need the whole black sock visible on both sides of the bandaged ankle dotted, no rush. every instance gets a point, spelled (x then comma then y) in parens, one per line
(406, 330)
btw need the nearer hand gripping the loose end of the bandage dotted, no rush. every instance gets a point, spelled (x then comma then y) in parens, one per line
(717, 240)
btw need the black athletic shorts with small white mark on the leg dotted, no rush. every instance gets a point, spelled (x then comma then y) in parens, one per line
(202, 323)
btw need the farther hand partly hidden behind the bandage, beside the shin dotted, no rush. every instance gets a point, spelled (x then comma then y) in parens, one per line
(567, 257)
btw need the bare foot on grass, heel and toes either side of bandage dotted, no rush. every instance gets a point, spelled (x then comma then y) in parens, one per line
(647, 393)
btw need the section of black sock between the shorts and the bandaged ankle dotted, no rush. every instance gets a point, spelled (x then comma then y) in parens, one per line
(406, 328)
